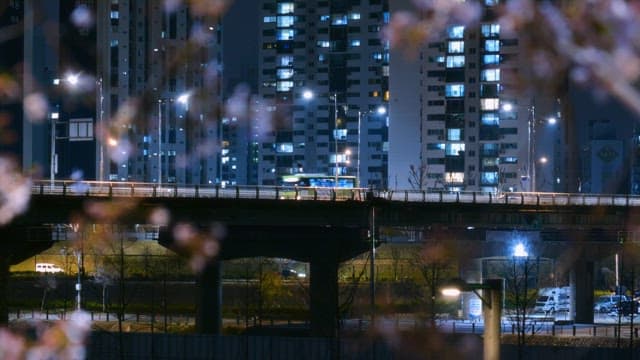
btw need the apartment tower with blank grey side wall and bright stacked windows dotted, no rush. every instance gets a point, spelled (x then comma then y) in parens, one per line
(477, 130)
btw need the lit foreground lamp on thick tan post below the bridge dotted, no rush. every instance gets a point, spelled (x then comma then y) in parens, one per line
(491, 310)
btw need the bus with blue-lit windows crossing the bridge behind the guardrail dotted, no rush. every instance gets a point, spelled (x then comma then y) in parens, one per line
(314, 186)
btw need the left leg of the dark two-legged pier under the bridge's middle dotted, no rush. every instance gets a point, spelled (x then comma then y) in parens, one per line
(209, 287)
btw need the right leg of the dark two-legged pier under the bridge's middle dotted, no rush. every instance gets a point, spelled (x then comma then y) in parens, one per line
(324, 297)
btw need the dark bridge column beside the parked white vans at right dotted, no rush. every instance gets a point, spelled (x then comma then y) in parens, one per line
(581, 278)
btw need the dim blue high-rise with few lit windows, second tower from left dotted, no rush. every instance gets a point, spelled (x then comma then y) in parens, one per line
(169, 61)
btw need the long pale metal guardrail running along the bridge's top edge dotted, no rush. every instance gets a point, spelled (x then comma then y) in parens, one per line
(136, 189)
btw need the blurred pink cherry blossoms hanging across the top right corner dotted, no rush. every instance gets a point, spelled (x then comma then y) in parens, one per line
(596, 43)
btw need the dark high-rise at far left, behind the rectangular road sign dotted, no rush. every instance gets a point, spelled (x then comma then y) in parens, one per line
(41, 39)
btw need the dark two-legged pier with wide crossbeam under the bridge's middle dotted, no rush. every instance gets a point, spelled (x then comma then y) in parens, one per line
(323, 247)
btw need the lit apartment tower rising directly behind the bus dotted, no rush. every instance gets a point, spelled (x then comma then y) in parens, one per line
(333, 50)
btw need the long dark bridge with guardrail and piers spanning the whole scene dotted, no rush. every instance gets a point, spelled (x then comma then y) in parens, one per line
(324, 226)
